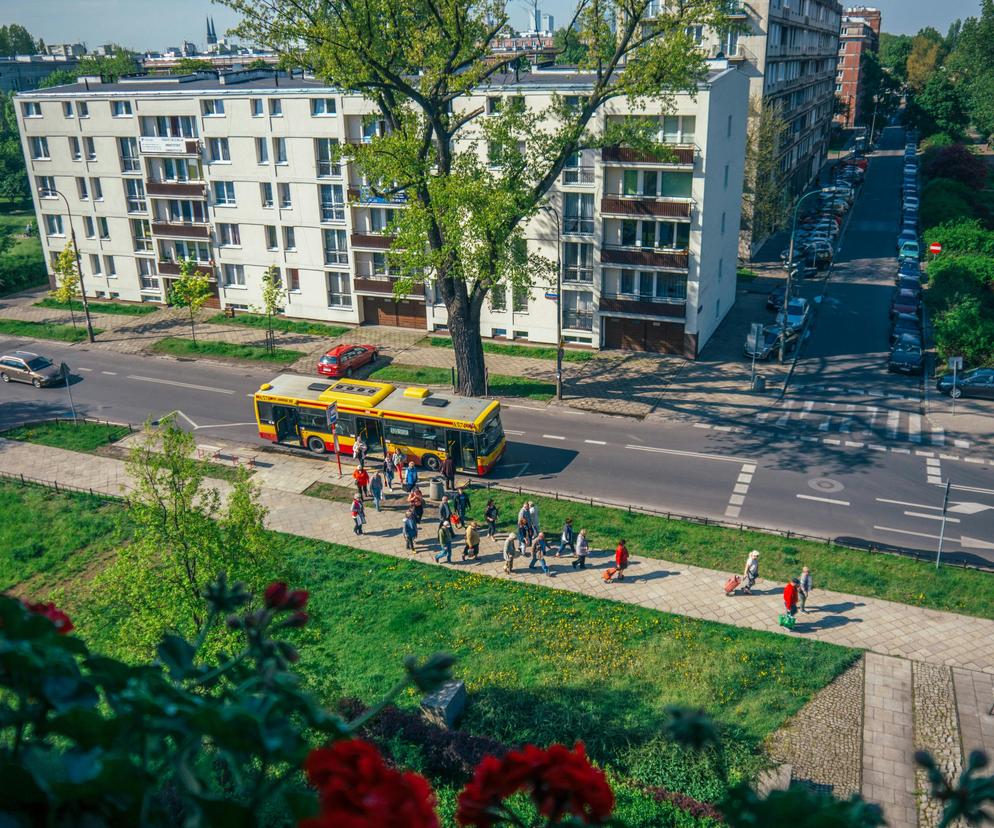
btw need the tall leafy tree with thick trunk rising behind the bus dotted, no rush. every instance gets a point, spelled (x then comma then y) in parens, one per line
(420, 62)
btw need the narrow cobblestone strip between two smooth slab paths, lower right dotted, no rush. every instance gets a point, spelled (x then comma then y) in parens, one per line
(937, 731)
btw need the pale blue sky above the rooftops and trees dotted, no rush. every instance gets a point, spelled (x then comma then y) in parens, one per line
(156, 24)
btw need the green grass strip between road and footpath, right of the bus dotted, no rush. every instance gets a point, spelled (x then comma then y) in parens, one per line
(873, 574)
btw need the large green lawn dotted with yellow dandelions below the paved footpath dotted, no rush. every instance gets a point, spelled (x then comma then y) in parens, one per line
(541, 665)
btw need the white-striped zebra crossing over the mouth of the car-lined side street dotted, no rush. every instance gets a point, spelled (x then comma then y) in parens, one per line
(866, 422)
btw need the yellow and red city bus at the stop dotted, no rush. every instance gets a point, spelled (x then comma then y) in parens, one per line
(425, 426)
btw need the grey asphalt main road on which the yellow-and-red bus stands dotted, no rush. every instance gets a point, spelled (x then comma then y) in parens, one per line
(760, 474)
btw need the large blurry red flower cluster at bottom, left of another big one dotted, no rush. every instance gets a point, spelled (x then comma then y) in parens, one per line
(358, 790)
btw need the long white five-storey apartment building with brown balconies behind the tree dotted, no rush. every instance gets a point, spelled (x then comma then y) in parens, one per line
(235, 172)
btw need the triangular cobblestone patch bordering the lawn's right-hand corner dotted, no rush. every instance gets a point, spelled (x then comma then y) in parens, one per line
(823, 742)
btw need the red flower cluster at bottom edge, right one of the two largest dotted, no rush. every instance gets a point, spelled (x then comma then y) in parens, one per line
(561, 782)
